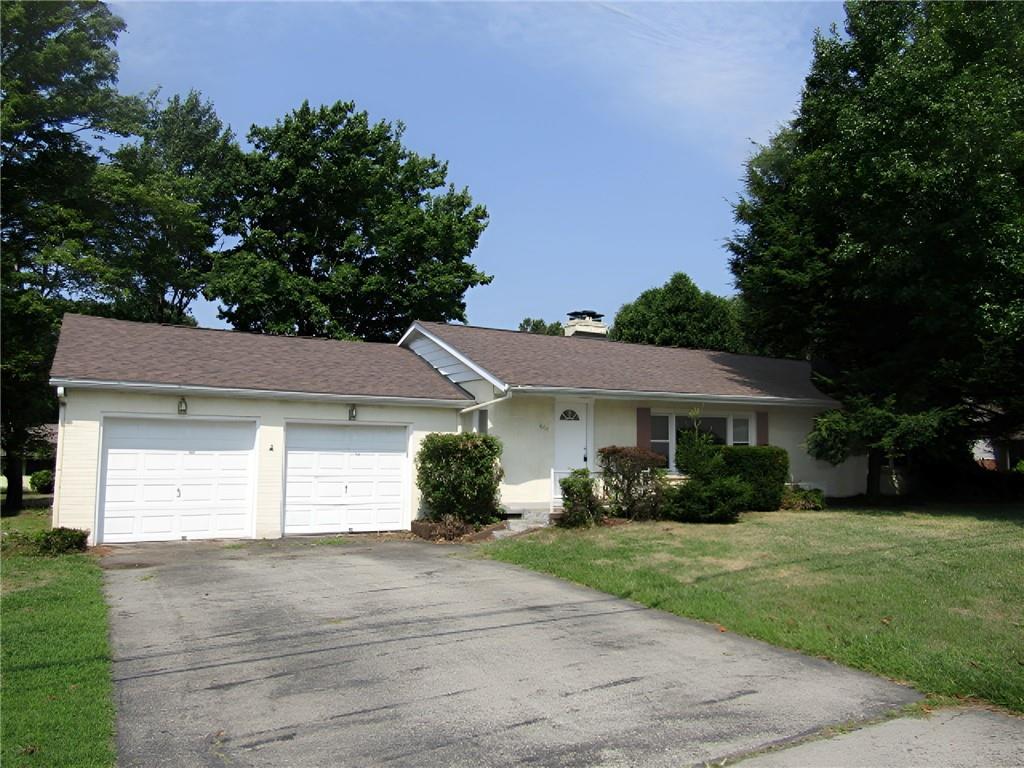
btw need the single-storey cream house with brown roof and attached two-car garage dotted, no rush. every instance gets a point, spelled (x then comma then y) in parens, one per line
(169, 433)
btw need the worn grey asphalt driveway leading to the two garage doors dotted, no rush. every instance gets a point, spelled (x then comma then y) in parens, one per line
(410, 654)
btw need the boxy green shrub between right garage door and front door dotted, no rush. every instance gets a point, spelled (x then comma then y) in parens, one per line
(458, 476)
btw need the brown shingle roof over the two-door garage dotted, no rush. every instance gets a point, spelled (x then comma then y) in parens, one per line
(101, 350)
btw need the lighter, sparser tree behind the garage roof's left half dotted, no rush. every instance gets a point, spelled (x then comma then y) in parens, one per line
(164, 200)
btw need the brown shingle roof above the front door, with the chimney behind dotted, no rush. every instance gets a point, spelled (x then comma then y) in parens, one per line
(533, 360)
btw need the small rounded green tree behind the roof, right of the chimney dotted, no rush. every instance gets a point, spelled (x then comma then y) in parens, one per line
(680, 315)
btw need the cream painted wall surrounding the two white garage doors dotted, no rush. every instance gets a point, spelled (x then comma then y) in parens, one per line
(86, 409)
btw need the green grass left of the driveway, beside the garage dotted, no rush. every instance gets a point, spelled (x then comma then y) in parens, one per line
(56, 702)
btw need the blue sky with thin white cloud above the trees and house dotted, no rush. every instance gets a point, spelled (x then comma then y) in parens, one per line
(607, 141)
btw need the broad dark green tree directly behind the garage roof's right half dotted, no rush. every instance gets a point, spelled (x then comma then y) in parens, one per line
(346, 233)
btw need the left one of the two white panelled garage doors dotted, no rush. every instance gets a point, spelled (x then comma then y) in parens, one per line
(166, 480)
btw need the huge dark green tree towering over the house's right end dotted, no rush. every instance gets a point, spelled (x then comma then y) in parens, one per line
(882, 233)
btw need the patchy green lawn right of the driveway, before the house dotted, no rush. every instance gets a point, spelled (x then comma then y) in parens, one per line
(934, 599)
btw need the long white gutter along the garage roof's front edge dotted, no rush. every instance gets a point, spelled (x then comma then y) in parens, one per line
(197, 391)
